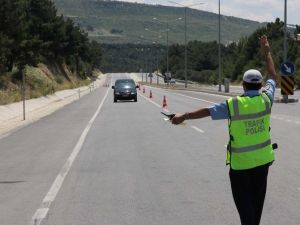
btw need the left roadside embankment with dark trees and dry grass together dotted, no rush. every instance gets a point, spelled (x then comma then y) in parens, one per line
(50, 50)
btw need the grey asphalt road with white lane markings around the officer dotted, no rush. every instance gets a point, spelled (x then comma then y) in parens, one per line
(96, 162)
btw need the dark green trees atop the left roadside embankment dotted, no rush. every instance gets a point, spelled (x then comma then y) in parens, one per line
(31, 32)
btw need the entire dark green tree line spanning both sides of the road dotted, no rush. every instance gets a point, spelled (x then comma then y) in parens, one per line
(31, 32)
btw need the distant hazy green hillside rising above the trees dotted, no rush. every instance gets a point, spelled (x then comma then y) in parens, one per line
(123, 22)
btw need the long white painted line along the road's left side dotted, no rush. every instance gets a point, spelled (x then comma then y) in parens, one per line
(42, 212)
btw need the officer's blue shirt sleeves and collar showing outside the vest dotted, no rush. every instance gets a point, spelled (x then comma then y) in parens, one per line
(220, 111)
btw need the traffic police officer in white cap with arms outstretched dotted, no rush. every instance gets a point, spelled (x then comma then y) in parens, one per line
(249, 151)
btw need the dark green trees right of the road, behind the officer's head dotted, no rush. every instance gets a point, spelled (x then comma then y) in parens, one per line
(236, 57)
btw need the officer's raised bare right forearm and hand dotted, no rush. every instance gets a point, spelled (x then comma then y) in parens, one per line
(265, 50)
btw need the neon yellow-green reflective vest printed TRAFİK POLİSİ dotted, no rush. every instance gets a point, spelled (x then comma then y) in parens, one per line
(250, 144)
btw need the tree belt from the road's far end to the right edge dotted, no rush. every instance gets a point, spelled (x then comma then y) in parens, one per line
(237, 57)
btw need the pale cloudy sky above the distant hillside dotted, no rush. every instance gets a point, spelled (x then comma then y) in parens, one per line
(257, 10)
